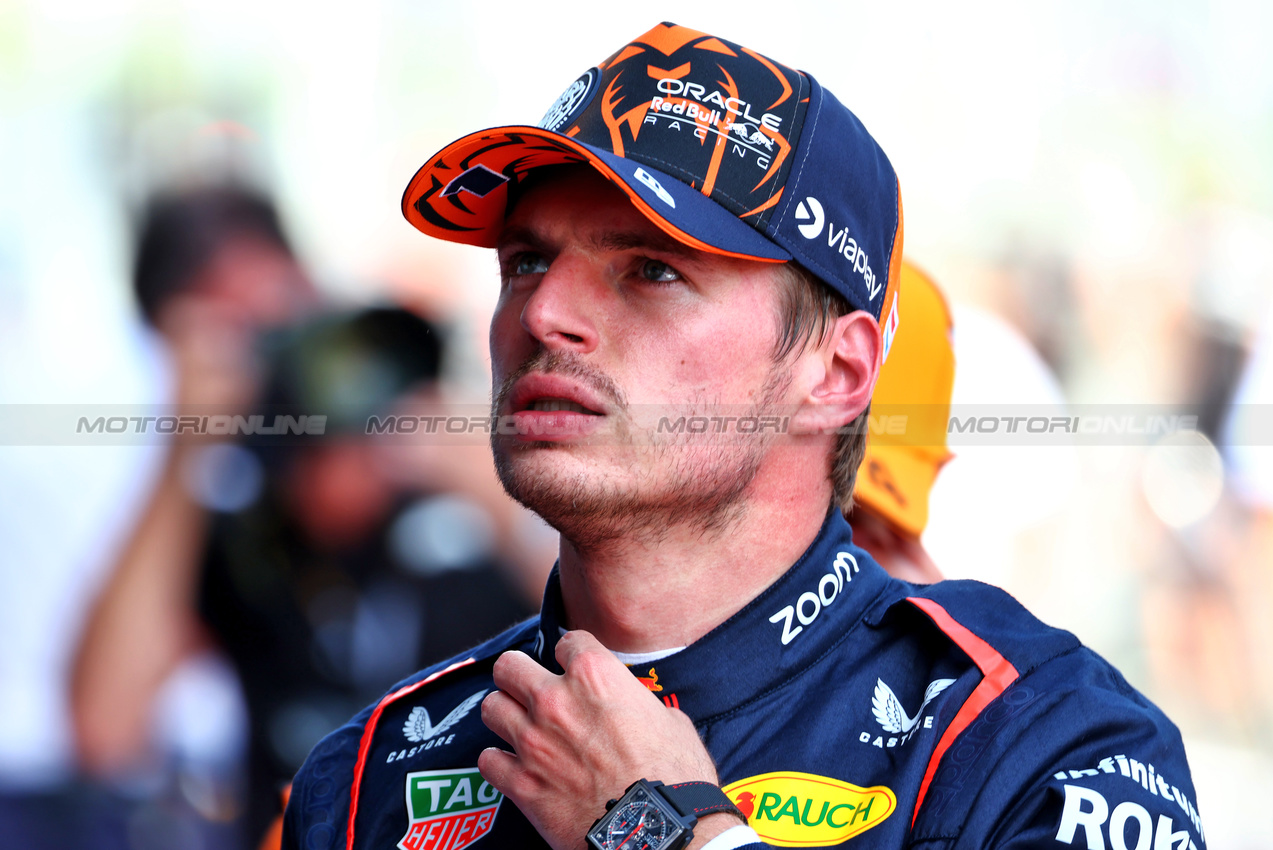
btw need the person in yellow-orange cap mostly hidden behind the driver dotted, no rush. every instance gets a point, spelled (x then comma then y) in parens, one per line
(907, 449)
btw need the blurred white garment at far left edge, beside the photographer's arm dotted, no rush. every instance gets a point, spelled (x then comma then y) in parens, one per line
(64, 515)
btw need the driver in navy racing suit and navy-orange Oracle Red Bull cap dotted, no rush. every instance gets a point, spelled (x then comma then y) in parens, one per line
(655, 319)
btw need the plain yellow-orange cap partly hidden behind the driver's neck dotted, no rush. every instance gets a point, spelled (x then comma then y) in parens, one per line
(899, 470)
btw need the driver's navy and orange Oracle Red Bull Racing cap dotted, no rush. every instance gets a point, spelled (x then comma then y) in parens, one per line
(725, 150)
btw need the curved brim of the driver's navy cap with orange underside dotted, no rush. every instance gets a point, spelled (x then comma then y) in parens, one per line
(461, 194)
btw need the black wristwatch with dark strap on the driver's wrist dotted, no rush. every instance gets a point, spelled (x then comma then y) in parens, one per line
(654, 816)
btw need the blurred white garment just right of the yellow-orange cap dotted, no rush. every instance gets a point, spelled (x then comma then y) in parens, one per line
(1000, 488)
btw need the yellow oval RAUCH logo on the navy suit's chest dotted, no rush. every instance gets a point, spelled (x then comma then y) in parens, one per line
(796, 810)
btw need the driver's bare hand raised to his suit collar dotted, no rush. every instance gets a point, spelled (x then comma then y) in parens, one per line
(581, 739)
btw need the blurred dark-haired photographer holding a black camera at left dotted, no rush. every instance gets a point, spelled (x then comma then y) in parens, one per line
(273, 583)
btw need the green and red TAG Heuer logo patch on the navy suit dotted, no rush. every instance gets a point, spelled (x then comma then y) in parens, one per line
(449, 810)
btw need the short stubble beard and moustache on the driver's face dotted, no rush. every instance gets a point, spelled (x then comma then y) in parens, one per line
(672, 483)
